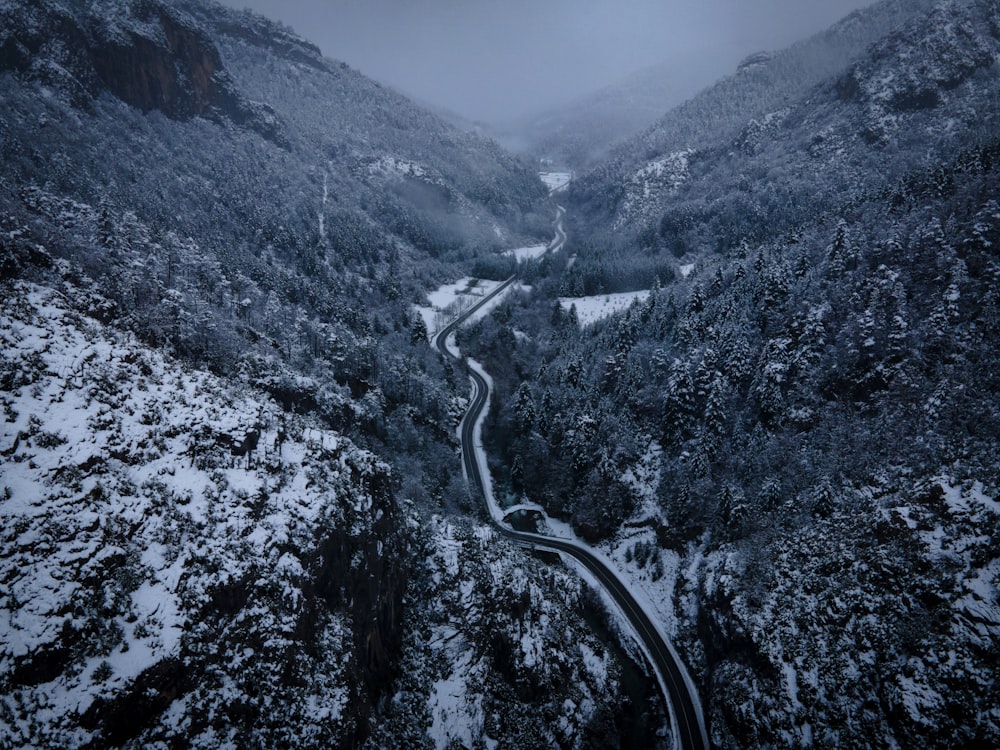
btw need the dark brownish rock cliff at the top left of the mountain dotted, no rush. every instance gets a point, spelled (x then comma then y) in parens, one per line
(153, 56)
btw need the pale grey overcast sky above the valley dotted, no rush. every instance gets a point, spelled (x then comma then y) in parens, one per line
(498, 59)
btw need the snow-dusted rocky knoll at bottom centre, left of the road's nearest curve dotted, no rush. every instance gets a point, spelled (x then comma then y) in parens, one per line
(551, 654)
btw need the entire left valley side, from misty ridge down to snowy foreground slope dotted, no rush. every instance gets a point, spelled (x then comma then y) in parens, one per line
(225, 436)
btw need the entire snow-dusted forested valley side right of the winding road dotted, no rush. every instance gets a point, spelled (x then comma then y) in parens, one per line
(814, 398)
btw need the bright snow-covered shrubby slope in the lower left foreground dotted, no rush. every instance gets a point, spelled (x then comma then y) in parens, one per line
(135, 493)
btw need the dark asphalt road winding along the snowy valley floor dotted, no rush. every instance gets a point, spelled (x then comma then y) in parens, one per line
(686, 716)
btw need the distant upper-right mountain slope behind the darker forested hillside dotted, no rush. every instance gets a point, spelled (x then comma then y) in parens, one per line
(902, 108)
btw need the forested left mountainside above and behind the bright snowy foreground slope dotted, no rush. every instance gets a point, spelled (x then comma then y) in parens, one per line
(253, 207)
